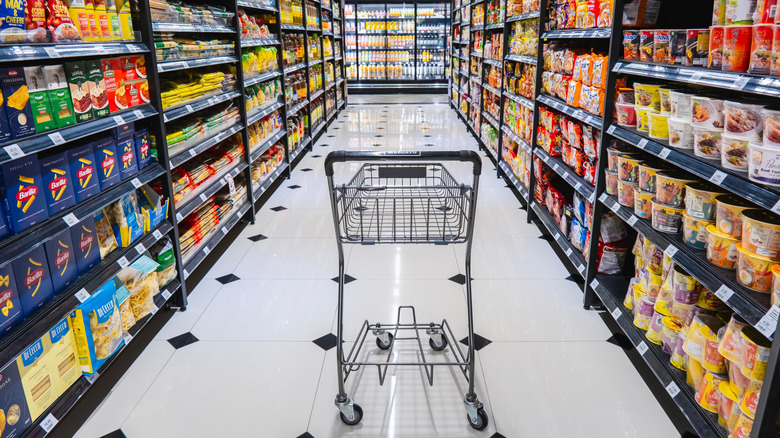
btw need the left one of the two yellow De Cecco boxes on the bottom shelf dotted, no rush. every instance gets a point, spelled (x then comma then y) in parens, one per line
(37, 381)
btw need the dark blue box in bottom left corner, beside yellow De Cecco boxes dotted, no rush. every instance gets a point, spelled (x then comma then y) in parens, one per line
(13, 403)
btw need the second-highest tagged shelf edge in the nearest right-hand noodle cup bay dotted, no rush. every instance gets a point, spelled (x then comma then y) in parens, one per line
(712, 172)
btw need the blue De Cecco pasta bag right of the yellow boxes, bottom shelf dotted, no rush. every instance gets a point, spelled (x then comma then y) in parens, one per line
(97, 328)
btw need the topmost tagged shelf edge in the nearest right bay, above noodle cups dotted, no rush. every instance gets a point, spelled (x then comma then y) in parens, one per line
(737, 81)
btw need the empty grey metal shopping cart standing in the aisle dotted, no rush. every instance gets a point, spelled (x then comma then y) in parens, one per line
(404, 197)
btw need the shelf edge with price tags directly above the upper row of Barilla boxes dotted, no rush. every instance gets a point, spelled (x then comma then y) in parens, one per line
(14, 149)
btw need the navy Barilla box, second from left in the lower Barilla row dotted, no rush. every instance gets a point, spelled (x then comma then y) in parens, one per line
(33, 280)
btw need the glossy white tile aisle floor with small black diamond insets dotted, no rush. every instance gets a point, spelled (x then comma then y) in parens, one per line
(255, 371)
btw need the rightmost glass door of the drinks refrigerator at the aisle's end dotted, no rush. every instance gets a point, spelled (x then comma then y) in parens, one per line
(432, 19)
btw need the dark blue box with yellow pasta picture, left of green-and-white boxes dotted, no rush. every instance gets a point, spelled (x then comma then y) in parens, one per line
(17, 101)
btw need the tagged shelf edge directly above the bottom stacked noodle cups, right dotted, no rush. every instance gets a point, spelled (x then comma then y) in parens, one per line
(749, 304)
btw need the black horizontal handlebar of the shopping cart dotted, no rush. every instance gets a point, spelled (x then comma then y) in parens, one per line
(344, 156)
